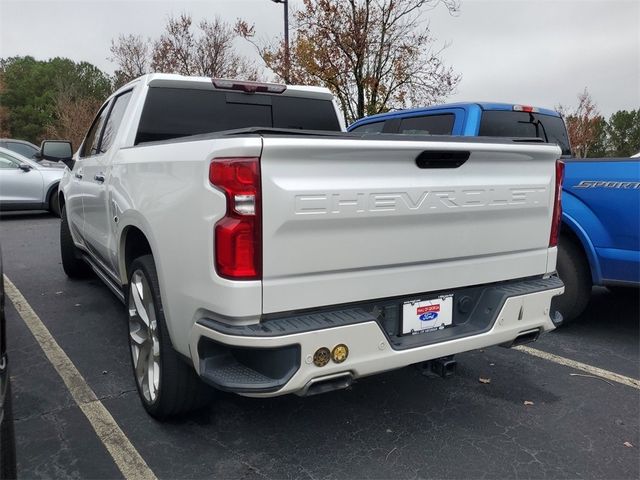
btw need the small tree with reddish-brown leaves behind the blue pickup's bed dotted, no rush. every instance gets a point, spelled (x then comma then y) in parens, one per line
(583, 124)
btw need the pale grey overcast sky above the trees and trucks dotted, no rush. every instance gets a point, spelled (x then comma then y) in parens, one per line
(537, 52)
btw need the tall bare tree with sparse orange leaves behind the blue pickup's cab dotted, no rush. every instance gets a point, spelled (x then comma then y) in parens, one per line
(373, 54)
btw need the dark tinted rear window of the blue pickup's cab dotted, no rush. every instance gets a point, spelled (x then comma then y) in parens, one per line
(505, 123)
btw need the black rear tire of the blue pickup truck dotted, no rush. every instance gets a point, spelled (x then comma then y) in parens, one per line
(573, 269)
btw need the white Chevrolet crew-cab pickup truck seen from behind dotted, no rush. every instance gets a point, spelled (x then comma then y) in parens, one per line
(263, 250)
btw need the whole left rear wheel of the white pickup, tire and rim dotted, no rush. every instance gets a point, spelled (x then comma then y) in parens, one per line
(166, 385)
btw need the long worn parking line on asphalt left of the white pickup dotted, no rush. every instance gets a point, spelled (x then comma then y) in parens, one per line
(124, 454)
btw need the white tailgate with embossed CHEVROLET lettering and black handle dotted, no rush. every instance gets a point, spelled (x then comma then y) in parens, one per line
(350, 219)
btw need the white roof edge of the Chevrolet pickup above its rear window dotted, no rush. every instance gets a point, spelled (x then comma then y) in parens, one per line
(171, 80)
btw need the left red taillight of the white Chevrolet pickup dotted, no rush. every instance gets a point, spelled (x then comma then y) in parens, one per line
(238, 236)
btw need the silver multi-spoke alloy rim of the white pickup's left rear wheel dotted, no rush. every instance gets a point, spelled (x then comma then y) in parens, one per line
(143, 336)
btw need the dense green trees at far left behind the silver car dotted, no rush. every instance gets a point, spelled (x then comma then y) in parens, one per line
(32, 89)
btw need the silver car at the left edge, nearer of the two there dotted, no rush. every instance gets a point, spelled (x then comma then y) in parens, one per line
(26, 185)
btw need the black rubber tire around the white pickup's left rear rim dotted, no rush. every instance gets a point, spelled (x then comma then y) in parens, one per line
(179, 389)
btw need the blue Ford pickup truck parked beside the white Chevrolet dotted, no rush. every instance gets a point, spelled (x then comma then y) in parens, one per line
(600, 236)
